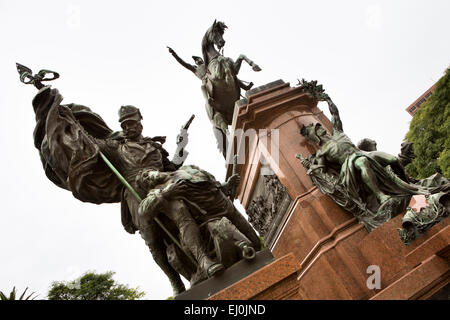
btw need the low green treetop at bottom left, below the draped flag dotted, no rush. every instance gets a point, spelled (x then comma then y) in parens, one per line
(93, 286)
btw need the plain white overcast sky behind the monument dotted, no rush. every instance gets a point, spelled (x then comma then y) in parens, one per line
(374, 58)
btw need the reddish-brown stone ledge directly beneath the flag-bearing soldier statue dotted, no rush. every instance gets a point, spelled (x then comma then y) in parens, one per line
(276, 281)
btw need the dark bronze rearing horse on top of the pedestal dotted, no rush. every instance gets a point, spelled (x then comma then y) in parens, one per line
(221, 87)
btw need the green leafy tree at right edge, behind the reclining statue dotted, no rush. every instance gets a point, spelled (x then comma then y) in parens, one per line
(430, 132)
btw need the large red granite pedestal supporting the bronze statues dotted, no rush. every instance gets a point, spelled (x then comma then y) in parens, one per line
(333, 249)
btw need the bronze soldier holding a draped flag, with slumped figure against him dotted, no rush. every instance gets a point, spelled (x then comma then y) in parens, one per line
(168, 203)
